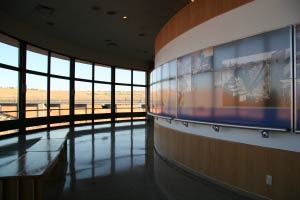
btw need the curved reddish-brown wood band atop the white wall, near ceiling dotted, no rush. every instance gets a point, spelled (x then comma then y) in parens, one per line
(192, 15)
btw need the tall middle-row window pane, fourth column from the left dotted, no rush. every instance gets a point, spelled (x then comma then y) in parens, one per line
(83, 97)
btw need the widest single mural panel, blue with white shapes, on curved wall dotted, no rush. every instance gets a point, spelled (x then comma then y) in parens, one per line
(252, 80)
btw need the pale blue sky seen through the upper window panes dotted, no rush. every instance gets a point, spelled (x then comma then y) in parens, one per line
(9, 55)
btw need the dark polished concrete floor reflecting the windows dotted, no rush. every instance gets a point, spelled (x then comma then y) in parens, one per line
(117, 161)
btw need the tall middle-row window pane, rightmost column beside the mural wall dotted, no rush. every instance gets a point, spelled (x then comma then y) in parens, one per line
(139, 99)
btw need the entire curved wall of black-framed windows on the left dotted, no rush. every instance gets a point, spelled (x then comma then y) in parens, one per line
(38, 83)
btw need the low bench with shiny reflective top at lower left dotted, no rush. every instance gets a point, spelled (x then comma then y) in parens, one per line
(23, 176)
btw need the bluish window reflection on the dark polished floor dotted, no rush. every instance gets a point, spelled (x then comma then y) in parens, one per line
(105, 149)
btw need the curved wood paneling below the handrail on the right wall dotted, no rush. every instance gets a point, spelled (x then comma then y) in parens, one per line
(240, 165)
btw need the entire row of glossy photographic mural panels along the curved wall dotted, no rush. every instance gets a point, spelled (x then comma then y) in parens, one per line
(244, 82)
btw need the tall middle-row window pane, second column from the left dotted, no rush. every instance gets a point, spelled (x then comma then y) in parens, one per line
(36, 96)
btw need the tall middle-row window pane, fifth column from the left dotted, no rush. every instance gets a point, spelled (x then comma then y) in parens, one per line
(102, 98)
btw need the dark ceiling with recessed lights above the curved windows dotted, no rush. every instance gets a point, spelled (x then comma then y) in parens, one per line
(98, 25)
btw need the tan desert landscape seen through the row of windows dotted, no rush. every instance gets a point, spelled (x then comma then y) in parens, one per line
(36, 102)
